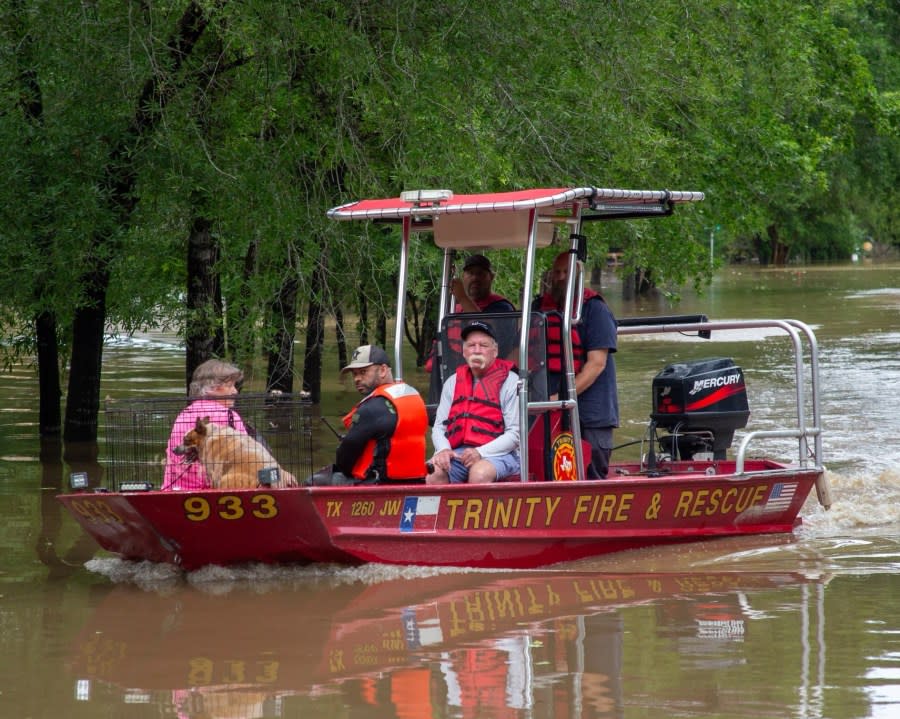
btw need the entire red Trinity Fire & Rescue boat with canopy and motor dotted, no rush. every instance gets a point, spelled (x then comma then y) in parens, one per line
(690, 485)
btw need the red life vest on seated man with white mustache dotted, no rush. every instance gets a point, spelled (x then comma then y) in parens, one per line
(476, 416)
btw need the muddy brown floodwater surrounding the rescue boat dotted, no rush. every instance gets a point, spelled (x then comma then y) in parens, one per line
(801, 626)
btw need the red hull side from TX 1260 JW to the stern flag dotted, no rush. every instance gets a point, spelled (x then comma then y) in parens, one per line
(529, 525)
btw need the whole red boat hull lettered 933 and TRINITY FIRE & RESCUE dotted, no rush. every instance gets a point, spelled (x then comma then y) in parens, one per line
(505, 525)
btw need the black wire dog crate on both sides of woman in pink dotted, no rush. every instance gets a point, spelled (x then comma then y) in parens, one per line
(137, 432)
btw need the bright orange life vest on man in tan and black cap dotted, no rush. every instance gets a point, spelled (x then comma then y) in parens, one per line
(406, 455)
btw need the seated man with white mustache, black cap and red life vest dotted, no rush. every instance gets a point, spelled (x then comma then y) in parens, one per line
(476, 428)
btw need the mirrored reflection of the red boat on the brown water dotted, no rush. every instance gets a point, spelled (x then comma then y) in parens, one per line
(470, 644)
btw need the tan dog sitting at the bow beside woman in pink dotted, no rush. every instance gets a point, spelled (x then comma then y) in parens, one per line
(231, 459)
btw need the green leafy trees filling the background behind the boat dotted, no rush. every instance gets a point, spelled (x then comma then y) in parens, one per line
(129, 125)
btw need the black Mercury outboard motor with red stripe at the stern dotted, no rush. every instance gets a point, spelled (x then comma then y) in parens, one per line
(700, 404)
